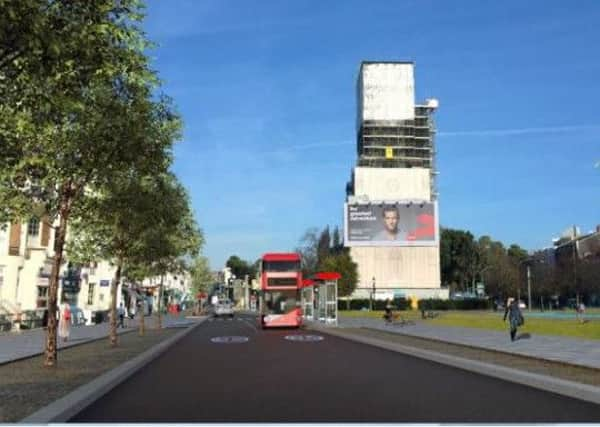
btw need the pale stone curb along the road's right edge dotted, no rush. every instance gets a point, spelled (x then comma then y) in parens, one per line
(571, 389)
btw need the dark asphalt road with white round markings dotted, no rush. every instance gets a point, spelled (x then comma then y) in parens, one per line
(271, 379)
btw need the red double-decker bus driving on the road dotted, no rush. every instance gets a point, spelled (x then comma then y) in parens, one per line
(280, 281)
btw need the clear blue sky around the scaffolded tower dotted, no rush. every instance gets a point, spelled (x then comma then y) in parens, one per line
(267, 93)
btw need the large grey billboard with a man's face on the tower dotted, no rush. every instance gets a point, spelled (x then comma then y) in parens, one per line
(402, 223)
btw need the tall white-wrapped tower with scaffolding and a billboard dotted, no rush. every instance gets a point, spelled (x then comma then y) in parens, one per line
(390, 216)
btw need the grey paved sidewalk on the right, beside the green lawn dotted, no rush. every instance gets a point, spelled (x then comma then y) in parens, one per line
(555, 348)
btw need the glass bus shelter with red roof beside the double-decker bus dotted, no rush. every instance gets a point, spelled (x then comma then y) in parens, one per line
(319, 298)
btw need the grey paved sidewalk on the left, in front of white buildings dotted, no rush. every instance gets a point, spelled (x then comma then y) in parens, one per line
(14, 346)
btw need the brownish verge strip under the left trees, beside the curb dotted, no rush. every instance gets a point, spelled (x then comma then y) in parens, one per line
(27, 386)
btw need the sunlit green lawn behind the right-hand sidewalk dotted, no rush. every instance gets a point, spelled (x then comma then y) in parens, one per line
(493, 321)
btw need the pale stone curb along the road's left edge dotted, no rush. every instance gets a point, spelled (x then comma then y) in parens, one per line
(68, 406)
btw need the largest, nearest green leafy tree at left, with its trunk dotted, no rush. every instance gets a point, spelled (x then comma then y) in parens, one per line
(75, 106)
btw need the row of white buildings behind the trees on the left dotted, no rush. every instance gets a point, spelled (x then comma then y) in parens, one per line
(26, 257)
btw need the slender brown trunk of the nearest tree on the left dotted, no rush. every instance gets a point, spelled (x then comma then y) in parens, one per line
(59, 243)
